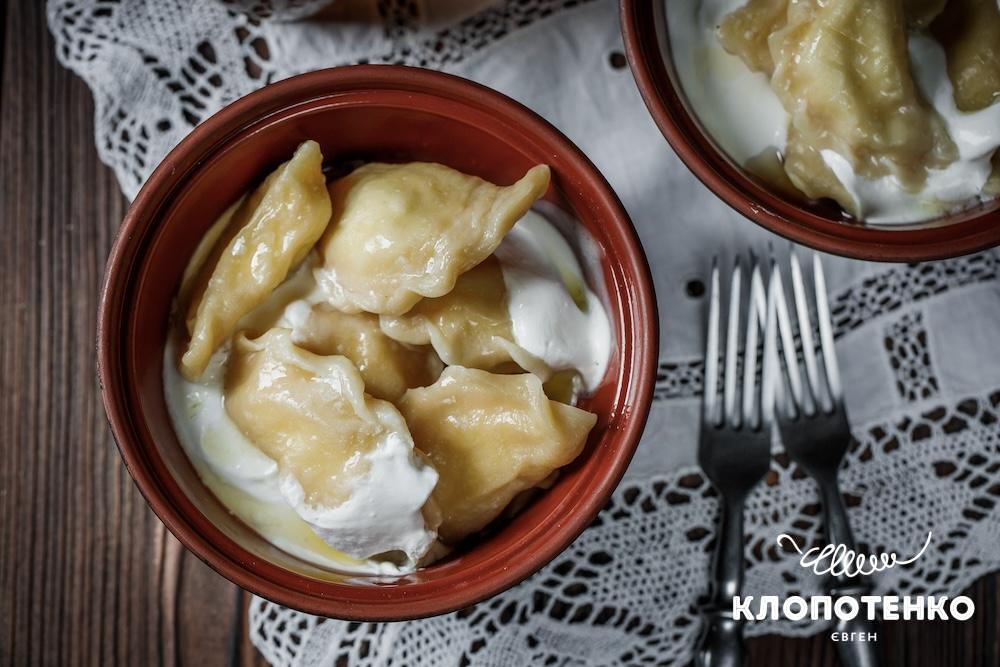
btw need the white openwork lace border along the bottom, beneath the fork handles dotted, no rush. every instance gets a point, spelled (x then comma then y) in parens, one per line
(626, 592)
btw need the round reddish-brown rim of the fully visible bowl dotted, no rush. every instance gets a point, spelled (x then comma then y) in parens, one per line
(206, 140)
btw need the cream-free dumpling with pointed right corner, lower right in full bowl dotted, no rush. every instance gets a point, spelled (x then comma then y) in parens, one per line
(489, 437)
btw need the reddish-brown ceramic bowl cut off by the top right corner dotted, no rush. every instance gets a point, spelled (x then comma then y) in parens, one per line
(644, 26)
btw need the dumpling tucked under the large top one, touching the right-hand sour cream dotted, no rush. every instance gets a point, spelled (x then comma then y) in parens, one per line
(469, 326)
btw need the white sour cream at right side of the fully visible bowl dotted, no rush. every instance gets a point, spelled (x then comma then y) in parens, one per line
(554, 314)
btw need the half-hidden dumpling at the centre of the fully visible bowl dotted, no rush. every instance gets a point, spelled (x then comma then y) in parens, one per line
(388, 367)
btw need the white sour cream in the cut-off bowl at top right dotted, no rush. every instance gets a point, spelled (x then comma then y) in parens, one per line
(740, 111)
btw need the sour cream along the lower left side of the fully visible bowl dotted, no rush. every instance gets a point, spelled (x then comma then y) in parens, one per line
(253, 488)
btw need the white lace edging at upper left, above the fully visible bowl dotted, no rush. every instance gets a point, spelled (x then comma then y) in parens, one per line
(230, 49)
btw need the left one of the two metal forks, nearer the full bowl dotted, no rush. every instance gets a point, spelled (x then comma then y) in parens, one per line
(734, 448)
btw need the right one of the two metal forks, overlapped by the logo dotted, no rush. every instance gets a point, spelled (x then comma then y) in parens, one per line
(812, 420)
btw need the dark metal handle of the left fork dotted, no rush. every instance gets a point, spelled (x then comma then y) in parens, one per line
(721, 643)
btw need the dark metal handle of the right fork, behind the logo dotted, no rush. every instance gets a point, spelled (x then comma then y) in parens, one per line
(838, 529)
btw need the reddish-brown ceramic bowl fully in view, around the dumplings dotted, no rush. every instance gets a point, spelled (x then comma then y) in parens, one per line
(367, 113)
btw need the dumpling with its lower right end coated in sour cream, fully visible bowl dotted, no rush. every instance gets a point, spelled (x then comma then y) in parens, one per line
(347, 460)
